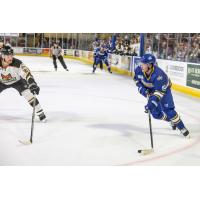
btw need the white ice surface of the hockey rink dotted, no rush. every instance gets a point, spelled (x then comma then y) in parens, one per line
(92, 119)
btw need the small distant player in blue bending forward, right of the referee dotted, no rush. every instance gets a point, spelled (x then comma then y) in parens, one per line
(101, 58)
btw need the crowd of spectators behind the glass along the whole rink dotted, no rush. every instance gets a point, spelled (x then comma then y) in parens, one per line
(172, 46)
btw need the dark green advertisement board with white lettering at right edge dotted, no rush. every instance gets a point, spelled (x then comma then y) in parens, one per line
(193, 75)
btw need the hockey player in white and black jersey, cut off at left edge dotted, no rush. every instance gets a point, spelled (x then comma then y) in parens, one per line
(14, 74)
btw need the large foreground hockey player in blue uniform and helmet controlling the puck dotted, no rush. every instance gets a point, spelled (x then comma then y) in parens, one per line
(154, 84)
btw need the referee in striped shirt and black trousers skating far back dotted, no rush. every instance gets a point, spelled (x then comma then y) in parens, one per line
(56, 53)
